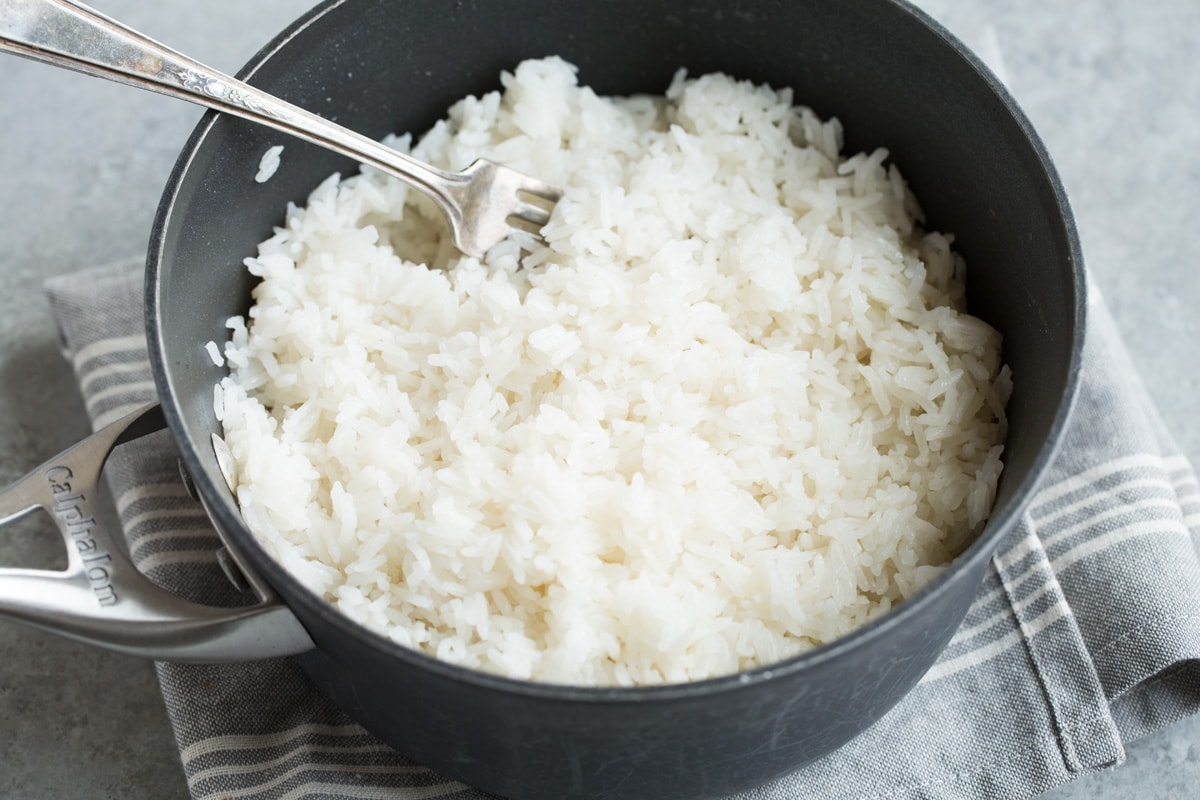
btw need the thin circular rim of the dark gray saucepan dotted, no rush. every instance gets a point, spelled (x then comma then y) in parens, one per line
(220, 504)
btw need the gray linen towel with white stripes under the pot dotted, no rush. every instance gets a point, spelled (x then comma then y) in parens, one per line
(1084, 635)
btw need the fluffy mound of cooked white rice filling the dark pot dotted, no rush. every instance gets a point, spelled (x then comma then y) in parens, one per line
(734, 410)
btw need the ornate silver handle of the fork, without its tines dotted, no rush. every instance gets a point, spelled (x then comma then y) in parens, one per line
(71, 35)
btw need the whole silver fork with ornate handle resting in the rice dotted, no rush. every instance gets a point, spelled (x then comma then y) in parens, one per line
(483, 204)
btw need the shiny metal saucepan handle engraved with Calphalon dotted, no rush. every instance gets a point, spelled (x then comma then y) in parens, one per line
(101, 598)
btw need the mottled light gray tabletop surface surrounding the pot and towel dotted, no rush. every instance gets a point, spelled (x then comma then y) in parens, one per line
(1113, 87)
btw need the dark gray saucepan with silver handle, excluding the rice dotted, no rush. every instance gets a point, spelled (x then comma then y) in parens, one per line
(891, 75)
